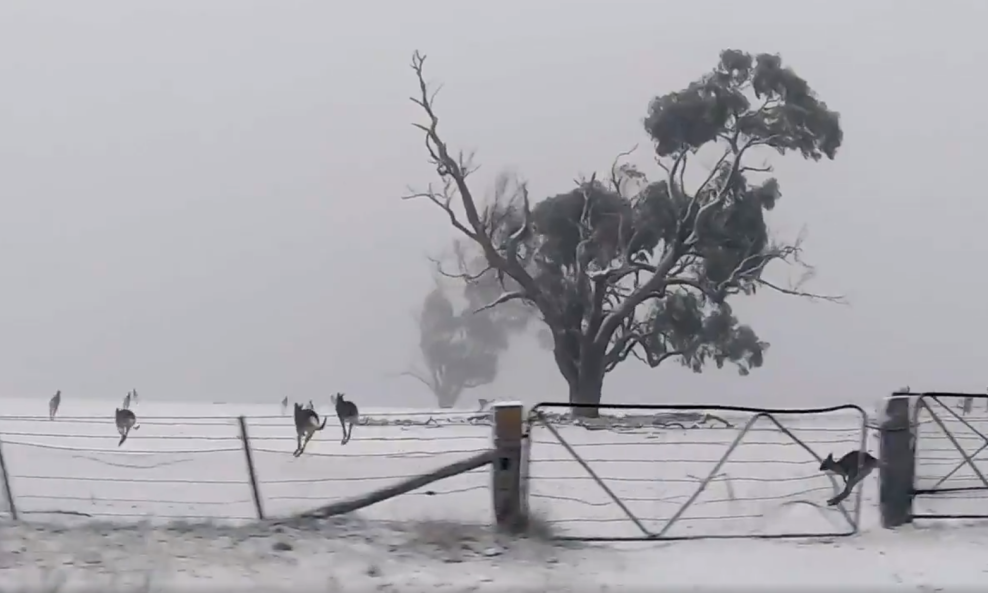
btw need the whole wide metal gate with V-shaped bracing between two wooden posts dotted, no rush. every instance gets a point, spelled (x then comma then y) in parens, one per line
(684, 453)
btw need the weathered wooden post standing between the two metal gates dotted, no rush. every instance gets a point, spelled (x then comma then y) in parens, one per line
(898, 457)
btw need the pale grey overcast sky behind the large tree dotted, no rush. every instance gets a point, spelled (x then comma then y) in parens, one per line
(200, 198)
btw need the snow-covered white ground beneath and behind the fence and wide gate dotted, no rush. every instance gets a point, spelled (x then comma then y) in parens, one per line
(186, 461)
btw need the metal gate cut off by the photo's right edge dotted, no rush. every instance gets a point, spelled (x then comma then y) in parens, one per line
(949, 432)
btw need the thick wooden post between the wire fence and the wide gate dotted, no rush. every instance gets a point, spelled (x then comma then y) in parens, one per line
(510, 504)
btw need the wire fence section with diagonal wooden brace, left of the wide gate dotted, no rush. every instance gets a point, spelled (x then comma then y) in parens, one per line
(209, 468)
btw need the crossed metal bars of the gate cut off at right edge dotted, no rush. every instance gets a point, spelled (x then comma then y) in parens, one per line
(931, 403)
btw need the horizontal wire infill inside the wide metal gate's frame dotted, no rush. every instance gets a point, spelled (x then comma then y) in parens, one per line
(689, 483)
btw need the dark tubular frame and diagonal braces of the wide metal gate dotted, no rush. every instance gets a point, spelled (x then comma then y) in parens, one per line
(852, 518)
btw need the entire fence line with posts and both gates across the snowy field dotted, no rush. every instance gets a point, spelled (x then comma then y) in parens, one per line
(262, 446)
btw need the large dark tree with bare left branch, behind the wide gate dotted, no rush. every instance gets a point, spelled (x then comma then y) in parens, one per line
(634, 267)
